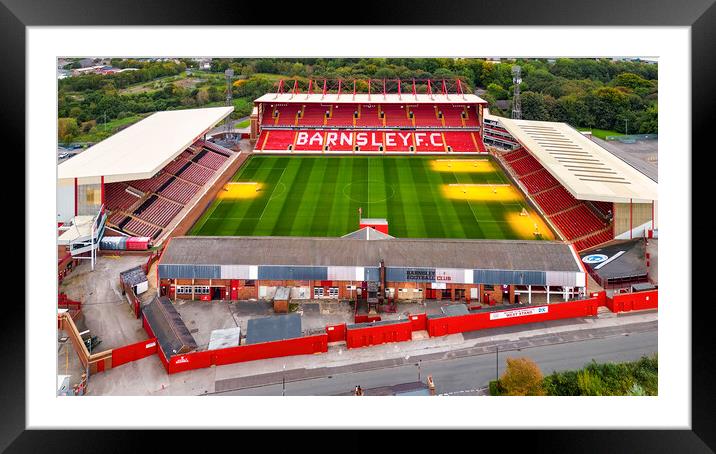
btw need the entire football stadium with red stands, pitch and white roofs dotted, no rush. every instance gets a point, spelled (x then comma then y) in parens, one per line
(378, 196)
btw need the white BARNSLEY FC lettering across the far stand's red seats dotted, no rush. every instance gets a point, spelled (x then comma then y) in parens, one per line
(369, 138)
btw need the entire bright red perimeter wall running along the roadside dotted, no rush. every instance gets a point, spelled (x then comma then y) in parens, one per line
(361, 336)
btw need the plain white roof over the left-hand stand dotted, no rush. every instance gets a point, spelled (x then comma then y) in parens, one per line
(141, 150)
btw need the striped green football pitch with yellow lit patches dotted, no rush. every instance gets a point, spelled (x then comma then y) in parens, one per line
(420, 196)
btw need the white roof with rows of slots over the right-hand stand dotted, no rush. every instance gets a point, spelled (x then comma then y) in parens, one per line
(586, 170)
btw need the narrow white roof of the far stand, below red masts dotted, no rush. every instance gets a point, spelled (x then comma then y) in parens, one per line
(347, 97)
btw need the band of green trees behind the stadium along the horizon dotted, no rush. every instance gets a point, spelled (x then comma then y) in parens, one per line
(602, 93)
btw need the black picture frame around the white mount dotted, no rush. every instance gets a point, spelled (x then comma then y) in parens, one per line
(699, 15)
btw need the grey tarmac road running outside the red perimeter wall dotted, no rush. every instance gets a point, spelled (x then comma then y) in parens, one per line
(464, 375)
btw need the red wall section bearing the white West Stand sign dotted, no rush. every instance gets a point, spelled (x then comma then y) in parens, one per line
(471, 322)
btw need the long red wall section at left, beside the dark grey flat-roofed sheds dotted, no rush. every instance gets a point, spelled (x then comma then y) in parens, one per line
(299, 346)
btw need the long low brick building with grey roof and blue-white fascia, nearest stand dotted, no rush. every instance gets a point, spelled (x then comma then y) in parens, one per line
(240, 268)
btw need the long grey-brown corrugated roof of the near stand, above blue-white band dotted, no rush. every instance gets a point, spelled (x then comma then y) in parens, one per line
(399, 252)
